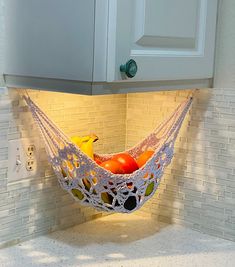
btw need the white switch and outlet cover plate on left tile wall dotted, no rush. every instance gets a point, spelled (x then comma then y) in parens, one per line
(18, 150)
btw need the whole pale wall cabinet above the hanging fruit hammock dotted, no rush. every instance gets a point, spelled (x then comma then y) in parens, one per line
(79, 45)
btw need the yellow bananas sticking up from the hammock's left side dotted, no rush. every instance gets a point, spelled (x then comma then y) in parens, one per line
(85, 143)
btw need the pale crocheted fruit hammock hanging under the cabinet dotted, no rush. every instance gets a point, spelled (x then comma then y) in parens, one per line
(91, 184)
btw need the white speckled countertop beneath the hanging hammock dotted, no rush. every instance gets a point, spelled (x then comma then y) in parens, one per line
(122, 240)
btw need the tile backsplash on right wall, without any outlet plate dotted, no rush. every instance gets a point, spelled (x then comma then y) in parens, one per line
(198, 188)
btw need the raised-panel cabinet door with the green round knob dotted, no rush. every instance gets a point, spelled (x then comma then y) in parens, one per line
(168, 39)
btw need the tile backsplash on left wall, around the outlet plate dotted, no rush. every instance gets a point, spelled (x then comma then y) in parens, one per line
(37, 205)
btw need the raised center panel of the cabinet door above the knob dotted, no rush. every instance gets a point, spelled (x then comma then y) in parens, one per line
(154, 28)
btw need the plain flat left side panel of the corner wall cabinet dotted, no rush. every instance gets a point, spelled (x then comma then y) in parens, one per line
(50, 38)
